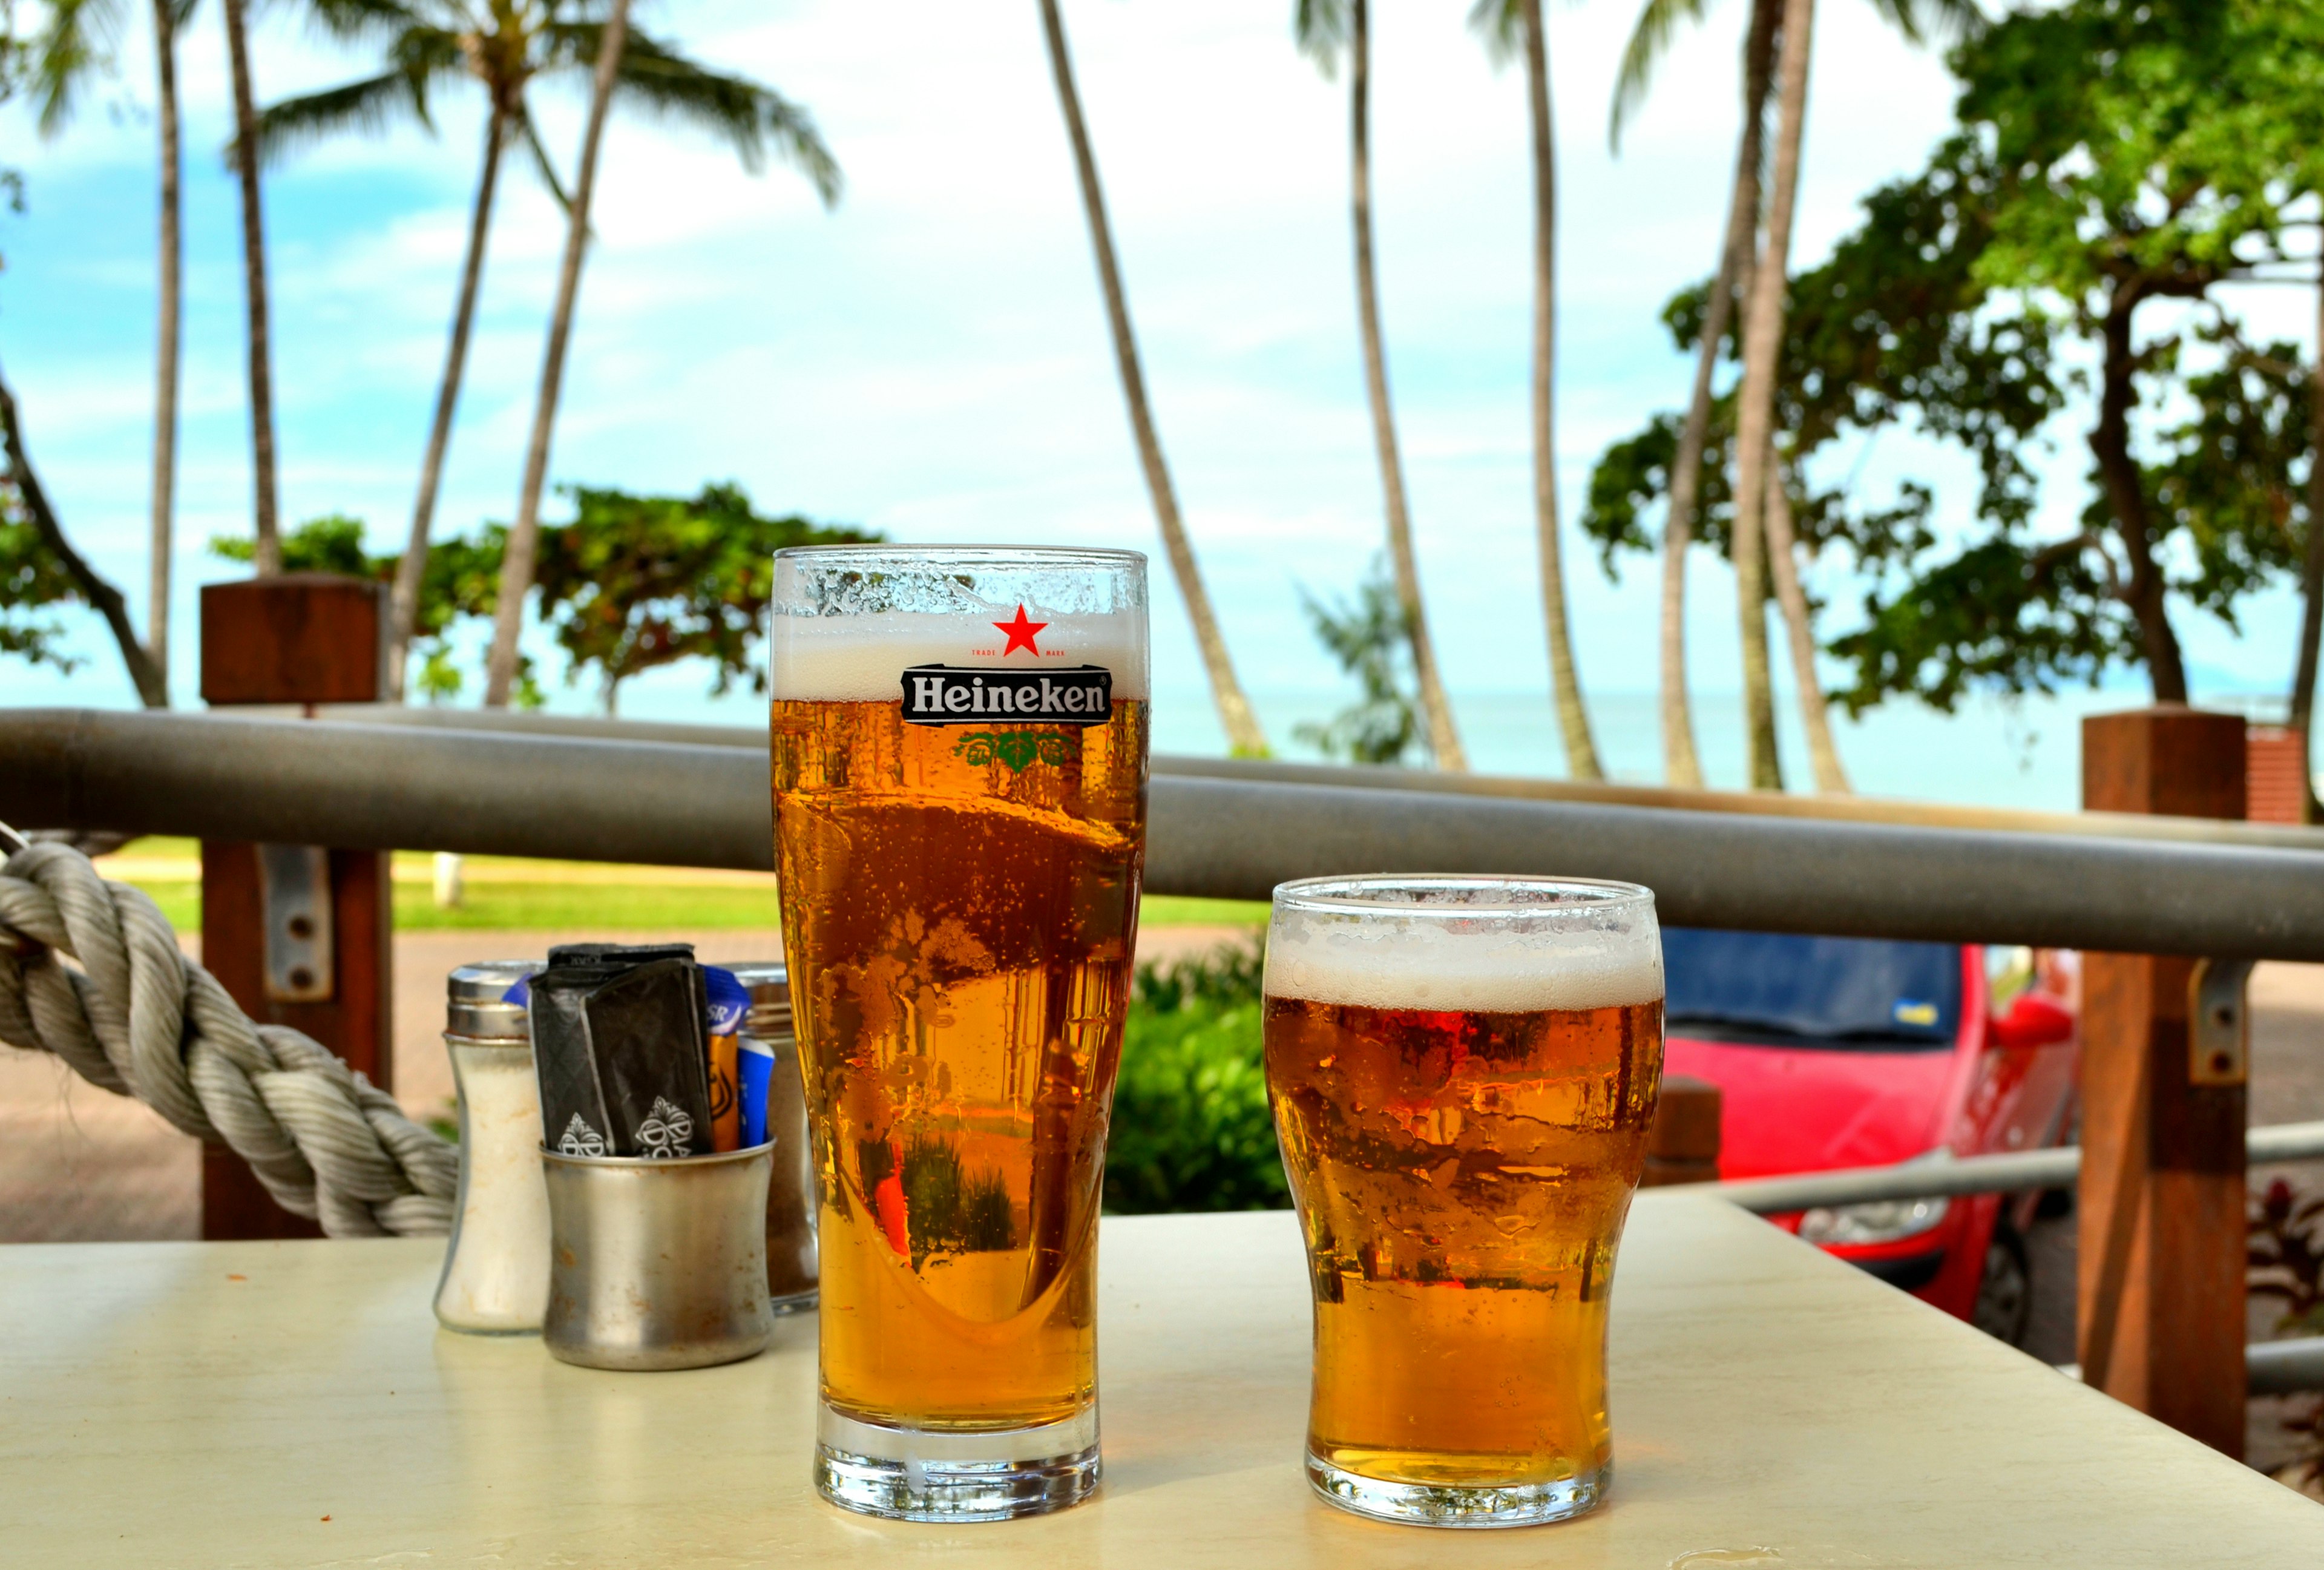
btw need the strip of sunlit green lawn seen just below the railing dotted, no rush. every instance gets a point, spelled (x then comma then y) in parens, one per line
(605, 907)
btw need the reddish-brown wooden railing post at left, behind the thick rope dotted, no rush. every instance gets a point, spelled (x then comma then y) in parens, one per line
(294, 640)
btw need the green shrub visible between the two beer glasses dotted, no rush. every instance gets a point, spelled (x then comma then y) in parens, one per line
(1191, 1123)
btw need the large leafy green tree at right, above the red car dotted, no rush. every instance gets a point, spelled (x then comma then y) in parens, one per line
(2109, 157)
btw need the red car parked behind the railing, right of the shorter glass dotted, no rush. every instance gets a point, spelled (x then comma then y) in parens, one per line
(1863, 1053)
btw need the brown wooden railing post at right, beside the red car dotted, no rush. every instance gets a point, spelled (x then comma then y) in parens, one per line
(2162, 1232)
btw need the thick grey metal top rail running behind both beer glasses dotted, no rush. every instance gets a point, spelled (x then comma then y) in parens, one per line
(687, 805)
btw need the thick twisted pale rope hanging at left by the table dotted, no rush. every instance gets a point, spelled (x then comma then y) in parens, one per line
(143, 1021)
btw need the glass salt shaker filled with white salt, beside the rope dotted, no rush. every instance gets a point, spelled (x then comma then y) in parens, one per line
(496, 1269)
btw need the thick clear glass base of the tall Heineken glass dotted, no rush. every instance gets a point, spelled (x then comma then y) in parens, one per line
(942, 1476)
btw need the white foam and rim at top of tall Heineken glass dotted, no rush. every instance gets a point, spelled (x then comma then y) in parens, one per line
(847, 621)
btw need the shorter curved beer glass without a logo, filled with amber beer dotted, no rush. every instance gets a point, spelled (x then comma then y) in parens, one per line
(1463, 1074)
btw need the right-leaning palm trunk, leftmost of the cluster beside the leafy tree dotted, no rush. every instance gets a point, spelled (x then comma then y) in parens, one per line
(1679, 758)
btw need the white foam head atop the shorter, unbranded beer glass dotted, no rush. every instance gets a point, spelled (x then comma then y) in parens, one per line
(1444, 944)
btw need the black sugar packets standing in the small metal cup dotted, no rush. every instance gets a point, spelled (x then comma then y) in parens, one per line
(619, 1049)
